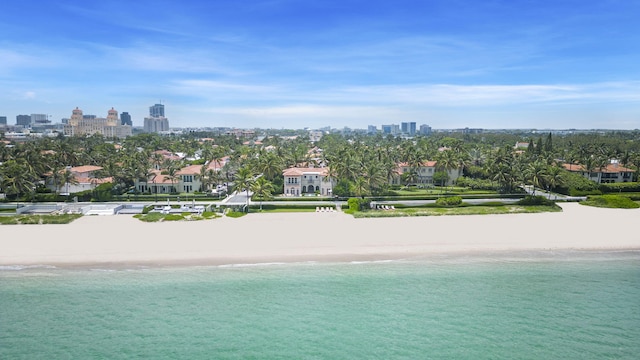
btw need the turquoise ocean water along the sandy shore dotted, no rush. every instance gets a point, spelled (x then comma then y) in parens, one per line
(547, 305)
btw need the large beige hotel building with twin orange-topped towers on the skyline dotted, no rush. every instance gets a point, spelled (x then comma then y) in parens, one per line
(79, 125)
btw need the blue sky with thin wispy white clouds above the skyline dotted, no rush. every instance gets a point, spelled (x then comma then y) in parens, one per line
(295, 64)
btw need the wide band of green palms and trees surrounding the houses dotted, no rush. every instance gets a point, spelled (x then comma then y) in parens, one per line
(361, 165)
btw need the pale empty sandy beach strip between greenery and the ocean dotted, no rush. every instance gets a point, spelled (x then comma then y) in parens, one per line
(287, 237)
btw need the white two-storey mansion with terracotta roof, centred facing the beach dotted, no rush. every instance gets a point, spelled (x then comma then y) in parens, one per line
(307, 181)
